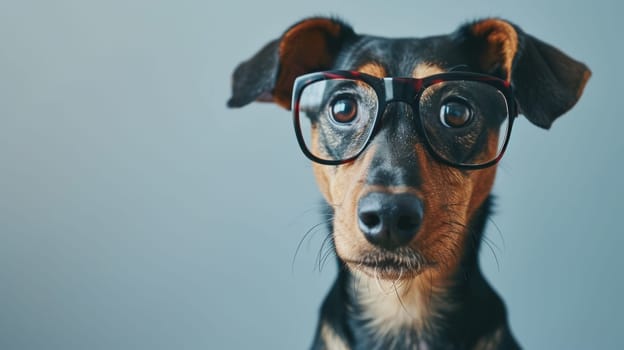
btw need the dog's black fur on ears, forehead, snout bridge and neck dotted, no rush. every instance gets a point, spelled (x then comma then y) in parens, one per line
(546, 82)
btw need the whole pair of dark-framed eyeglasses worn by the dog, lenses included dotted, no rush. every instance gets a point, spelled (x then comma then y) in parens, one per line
(465, 118)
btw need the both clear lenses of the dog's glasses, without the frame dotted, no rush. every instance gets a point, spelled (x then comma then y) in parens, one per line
(465, 122)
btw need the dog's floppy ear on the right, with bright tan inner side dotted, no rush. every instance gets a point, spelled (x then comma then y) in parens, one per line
(546, 82)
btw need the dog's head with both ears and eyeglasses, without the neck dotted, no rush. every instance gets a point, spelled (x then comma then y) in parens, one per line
(396, 159)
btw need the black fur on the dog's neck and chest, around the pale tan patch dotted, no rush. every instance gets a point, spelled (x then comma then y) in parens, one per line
(482, 312)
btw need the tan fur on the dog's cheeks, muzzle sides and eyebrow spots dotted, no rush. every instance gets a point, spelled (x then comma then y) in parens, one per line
(450, 198)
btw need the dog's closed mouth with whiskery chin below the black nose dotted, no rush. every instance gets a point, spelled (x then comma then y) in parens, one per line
(403, 263)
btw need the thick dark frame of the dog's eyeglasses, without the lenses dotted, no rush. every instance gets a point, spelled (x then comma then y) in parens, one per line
(408, 90)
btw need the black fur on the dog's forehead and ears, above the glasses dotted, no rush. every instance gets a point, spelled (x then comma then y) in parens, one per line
(547, 82)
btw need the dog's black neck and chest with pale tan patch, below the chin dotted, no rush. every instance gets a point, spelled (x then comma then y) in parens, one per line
(427, 311)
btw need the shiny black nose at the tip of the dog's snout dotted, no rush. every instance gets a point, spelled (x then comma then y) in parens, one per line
(389, 220)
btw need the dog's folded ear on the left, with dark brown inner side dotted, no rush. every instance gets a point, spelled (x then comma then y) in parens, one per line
(308, 46)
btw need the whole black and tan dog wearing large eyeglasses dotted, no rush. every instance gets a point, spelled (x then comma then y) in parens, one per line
(405, 135)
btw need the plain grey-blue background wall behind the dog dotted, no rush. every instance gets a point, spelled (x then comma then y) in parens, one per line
(137, 212)
